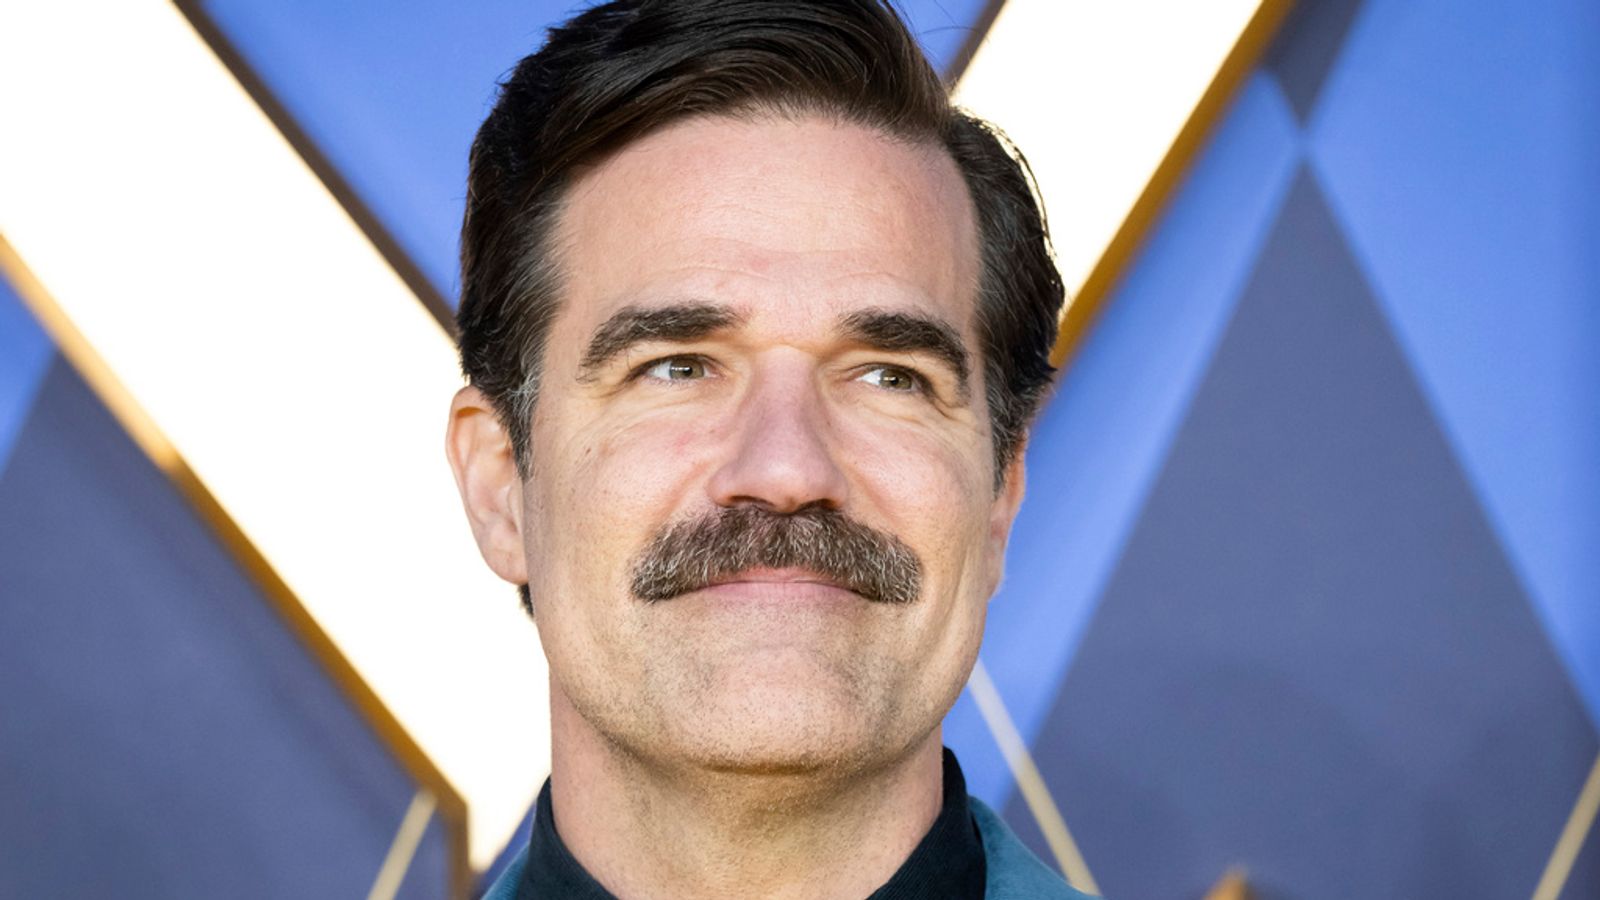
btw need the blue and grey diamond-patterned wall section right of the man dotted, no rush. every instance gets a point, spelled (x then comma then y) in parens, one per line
(1310, 555)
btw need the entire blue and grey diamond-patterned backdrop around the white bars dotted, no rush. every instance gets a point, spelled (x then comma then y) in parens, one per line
(1306, 579)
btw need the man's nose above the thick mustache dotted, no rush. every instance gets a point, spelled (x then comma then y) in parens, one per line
(783, 452)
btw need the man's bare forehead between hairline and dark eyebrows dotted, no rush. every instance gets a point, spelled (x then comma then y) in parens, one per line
(778, 217)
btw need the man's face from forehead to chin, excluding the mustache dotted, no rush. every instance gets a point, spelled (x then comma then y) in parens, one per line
(772, 316)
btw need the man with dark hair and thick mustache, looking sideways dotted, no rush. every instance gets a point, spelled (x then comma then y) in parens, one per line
(754, 326)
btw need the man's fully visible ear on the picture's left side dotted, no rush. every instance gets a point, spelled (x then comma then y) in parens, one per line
(481, 456)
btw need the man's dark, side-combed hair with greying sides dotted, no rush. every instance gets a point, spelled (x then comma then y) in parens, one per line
(628, 68)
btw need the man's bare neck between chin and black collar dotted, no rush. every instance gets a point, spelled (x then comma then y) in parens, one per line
(644, 830)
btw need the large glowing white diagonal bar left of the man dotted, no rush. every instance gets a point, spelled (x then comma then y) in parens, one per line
(292, 369)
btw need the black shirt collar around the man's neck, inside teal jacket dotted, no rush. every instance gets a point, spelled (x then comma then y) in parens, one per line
(950, 861)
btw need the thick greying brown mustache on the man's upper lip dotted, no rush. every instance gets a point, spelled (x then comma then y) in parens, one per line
(695, 553)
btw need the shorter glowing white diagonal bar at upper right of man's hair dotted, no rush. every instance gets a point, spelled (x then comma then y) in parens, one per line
(1095, 92)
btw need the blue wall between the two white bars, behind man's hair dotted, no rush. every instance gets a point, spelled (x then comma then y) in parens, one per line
(391, 100)
